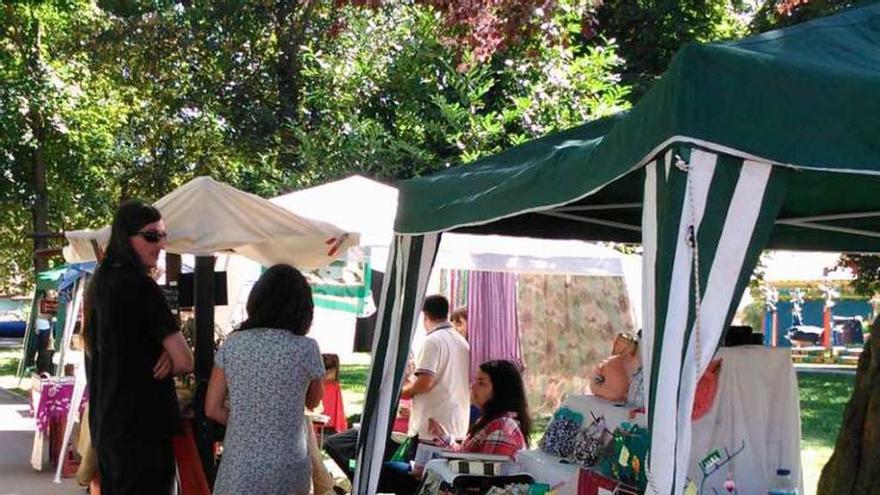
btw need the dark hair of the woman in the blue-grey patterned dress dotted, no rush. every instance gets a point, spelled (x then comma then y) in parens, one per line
(281, 298)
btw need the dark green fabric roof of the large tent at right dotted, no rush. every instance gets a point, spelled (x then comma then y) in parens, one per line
(806, 97)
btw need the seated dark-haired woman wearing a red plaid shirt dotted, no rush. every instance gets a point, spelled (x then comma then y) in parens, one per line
(504, 426)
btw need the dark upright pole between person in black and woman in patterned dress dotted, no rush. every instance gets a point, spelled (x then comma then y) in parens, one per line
(204, 360)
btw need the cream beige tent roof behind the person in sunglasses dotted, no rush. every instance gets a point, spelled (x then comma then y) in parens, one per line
(204, 217)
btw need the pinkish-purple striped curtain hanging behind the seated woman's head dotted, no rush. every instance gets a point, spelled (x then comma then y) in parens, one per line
(493, 332)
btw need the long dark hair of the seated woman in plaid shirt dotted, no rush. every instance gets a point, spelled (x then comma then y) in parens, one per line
(508, 395)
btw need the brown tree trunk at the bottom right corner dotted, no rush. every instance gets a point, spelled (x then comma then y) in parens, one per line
(854, 467)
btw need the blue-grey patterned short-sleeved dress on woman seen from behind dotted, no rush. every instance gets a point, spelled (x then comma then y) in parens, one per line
(267, 372)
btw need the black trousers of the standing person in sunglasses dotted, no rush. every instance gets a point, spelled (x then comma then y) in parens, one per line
(136, 466)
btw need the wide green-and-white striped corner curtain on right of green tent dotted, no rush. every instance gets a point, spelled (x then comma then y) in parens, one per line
(706, 218)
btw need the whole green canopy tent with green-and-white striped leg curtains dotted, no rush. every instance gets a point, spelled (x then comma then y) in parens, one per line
(768, 142)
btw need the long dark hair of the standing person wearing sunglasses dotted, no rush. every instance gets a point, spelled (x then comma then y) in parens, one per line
(130, 218)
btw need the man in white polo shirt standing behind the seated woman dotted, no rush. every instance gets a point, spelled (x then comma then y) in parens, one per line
(441, 389)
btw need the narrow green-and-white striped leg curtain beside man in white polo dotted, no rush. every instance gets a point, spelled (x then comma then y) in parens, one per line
(406, 278)
